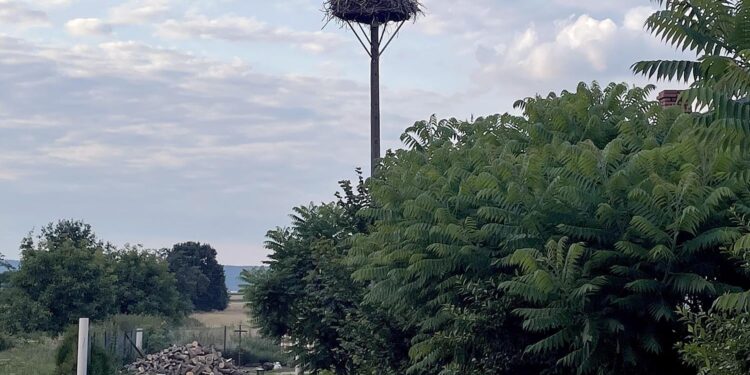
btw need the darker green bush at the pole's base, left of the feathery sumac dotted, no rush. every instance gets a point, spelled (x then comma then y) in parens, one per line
(307, 294)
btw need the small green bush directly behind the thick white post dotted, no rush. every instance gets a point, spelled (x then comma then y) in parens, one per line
(100, 362)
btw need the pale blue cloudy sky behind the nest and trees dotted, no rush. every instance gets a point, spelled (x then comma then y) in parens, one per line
(164, 121)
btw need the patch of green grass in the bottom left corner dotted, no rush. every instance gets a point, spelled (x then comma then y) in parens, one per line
(34, 357)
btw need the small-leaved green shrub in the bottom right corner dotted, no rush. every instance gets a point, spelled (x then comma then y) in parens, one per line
(717, 344)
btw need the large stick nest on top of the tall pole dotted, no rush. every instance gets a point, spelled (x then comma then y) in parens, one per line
(370, 11)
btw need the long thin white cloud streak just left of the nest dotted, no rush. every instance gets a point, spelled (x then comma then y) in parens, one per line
(244, 29)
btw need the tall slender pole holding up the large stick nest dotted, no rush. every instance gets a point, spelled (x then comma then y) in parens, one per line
(374, 96)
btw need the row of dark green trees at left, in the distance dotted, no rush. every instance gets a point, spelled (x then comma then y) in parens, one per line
(67, 272)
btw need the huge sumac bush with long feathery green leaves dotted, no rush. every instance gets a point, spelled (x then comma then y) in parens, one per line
(596, 212)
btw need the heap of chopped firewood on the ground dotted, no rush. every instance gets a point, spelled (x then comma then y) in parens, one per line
(184, 360)
